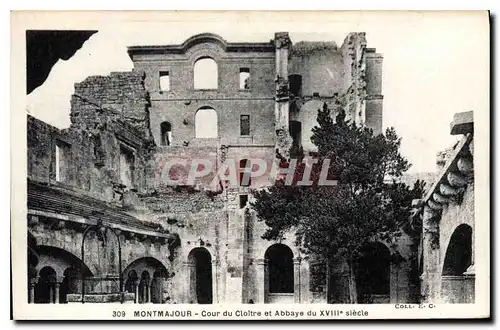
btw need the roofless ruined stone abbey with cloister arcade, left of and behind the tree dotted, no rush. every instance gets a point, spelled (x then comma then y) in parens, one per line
(195, 243)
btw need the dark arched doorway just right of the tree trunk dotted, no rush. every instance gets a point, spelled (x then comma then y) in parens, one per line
(373, 274)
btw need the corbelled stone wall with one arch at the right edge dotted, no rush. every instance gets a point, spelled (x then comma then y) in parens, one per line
(446, 215)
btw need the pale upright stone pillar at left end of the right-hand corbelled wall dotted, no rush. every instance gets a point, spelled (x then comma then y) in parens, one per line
(431, 276)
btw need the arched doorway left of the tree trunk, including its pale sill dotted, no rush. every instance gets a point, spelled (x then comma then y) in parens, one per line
(280, 277)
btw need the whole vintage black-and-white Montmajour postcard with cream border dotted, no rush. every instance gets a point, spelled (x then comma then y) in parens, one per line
(250, 165)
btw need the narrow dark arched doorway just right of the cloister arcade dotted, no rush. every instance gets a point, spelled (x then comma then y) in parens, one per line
(200, 262)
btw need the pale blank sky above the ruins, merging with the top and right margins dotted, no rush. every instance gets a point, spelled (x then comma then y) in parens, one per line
(435, 64)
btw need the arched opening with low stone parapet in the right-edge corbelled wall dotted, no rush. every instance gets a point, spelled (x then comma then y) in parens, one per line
(457, 285)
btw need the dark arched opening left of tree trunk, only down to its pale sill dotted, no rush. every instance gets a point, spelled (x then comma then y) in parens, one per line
(280, 269)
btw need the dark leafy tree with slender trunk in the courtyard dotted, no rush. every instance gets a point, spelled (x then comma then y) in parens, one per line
(367, 204)
